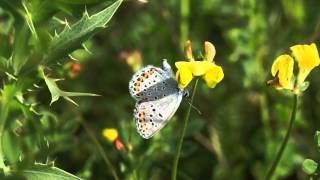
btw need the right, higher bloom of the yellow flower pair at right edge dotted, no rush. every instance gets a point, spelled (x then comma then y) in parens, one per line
(307, 57)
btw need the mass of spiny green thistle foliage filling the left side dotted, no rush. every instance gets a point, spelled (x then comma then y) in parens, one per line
(26, 126)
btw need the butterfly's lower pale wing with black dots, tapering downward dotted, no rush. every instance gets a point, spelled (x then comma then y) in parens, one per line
(151, 116)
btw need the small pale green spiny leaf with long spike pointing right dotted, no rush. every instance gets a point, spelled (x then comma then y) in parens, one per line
(56, 92)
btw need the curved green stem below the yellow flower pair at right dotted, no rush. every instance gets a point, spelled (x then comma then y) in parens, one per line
(286, 139)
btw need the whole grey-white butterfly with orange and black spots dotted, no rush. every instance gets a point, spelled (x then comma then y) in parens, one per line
(158, 98)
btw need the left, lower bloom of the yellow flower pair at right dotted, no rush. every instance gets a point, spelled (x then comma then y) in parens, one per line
(282, 70)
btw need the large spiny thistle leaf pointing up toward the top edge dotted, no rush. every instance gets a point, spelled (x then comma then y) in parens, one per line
(73, 36)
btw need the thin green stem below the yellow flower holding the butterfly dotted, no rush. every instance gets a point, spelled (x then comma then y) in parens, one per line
(182, 132)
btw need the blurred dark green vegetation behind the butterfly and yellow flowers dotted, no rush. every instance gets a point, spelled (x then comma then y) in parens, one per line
(242, 121)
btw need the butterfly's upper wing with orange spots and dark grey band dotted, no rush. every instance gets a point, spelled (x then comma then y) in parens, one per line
(150, 82)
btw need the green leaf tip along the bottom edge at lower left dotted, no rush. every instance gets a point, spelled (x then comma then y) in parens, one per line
(48, 172)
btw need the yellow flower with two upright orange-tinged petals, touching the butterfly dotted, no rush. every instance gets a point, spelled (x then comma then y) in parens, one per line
(206, 68)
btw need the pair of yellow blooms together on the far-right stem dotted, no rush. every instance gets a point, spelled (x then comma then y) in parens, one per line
(307, 57)
